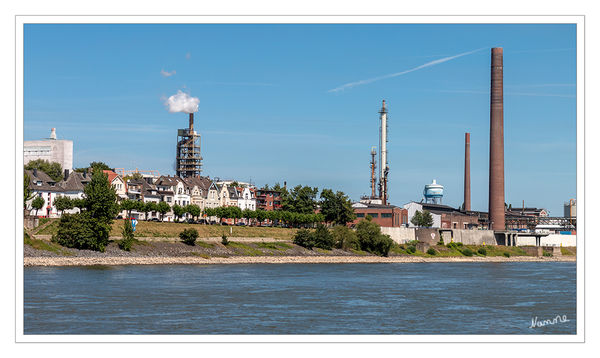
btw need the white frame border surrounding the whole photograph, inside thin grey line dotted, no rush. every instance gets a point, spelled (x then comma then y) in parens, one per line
(311, 19)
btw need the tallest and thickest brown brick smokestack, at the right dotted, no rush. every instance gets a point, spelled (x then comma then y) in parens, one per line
(496, 198)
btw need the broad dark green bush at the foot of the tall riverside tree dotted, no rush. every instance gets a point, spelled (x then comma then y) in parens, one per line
(81, 231)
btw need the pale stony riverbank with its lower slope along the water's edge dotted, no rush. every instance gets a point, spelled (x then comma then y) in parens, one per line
(243, 251)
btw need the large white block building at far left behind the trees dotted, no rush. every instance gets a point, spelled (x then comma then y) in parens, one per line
(50, 149)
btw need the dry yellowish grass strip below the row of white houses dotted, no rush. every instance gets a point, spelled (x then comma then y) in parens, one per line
(167, 229)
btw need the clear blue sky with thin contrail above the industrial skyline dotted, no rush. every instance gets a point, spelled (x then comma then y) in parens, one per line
(299, 103)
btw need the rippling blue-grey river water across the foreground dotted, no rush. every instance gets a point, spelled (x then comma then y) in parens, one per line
(404, 298)
